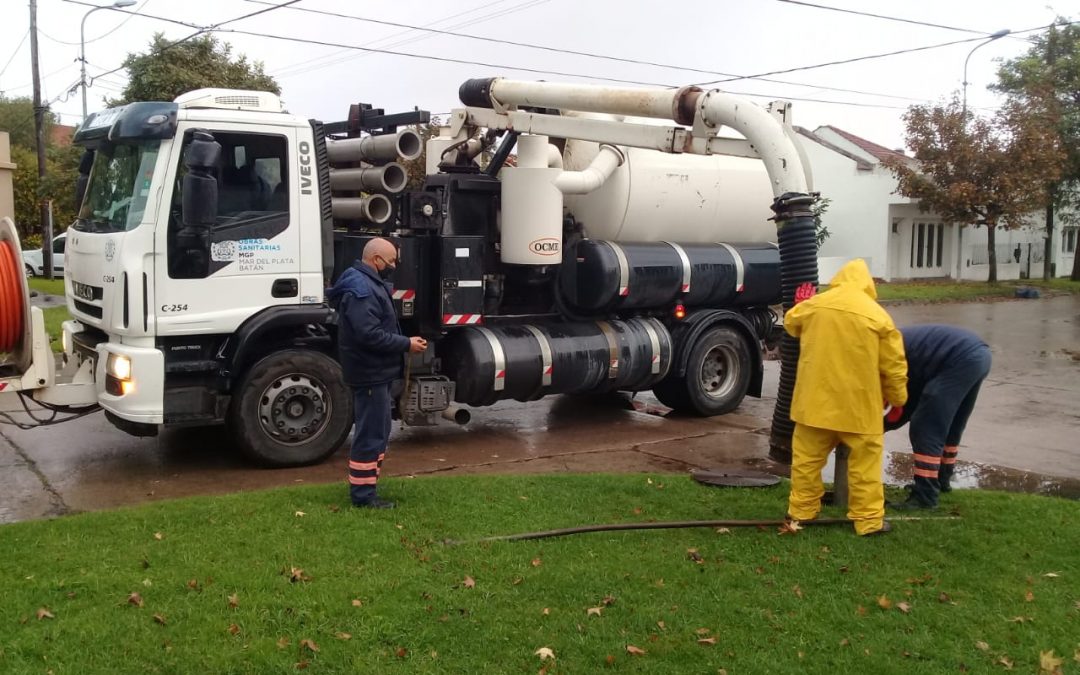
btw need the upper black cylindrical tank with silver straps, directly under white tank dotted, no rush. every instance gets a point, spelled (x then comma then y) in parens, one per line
(602, 276)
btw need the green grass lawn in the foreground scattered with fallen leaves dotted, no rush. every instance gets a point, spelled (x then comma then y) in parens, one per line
(271, 583)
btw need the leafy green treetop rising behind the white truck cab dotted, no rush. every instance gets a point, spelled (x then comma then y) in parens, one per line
(168, 71)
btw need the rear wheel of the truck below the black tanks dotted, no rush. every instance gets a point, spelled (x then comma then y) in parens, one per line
(718, 376)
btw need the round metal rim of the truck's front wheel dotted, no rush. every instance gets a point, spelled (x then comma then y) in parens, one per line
(294, 410)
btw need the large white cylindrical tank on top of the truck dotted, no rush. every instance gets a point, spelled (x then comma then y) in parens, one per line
(701, 199)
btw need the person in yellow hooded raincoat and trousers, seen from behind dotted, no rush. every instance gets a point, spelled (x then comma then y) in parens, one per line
(852, 362)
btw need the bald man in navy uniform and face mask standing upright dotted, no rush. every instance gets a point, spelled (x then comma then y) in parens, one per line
(372, 352)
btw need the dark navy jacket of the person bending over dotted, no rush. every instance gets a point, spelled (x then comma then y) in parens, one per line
(931, 350)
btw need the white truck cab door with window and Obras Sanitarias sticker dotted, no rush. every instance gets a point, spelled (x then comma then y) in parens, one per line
(251, 259)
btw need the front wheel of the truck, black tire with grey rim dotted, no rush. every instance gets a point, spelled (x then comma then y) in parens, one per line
(292, 410)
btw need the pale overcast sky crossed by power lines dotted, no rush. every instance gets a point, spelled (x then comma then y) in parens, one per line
(733, 37)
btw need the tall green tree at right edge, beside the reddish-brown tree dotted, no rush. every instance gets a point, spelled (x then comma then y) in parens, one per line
(1051, 71)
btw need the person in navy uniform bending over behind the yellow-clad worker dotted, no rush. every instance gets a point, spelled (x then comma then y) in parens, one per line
(946, 369)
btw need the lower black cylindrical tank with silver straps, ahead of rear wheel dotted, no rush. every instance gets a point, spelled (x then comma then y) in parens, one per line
(528, 362)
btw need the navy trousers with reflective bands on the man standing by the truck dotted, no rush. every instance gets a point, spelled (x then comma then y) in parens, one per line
(370, 439)
